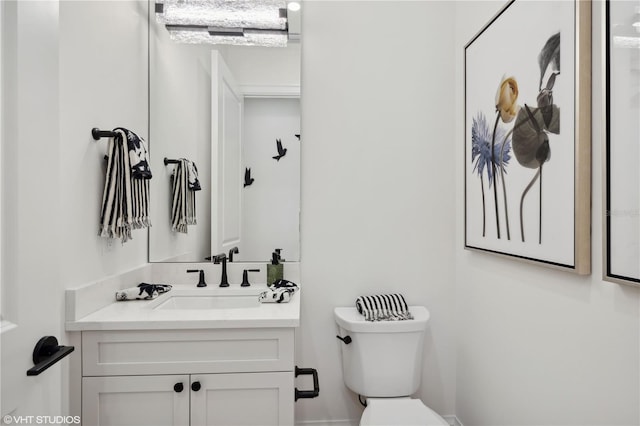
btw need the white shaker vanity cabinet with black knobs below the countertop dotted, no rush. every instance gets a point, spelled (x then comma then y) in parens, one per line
(188, 377)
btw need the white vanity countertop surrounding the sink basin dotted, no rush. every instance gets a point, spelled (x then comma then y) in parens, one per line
(141, 315)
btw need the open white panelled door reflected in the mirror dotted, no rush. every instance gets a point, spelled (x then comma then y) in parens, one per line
(226, 149)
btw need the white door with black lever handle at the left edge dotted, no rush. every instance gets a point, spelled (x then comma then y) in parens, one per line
(31, 295)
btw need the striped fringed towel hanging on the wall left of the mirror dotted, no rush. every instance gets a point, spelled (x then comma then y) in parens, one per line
(125, 199)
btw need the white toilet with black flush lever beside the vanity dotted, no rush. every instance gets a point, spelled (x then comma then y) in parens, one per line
(382, 361)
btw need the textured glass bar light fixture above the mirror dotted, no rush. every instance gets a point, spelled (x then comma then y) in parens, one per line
(235, 22)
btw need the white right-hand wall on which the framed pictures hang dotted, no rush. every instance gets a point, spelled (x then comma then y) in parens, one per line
(538, 346)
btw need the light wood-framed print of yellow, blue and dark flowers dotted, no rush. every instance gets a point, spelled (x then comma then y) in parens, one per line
(528, 135)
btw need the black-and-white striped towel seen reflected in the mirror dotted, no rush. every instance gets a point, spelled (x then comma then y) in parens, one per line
(183, 205)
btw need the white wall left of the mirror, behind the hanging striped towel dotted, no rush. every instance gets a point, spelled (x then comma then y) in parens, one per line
(103, 83)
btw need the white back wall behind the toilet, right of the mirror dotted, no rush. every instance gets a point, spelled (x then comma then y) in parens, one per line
(378, 166)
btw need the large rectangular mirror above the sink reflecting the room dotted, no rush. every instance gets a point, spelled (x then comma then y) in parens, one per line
(187, 94)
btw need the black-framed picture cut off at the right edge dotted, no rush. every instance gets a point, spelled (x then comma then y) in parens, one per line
(622, 146)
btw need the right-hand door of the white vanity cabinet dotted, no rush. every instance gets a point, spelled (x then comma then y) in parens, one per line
(247, 399)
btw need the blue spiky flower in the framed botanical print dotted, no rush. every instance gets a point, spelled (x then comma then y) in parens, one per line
(481, 148)
